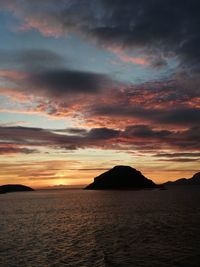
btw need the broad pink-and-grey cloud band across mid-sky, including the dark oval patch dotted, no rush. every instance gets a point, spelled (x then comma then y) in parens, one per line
(102, 102)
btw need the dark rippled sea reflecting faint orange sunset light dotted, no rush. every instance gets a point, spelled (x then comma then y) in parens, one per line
(100, 228)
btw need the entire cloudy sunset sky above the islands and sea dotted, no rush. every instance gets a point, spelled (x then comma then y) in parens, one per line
(89, 84)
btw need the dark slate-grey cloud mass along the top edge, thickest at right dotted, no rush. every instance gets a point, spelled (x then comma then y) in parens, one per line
(158, 27)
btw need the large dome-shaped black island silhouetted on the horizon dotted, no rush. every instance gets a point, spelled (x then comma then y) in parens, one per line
(121, 178)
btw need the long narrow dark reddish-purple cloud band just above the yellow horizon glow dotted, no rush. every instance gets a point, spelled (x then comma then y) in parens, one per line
(139, 137)
